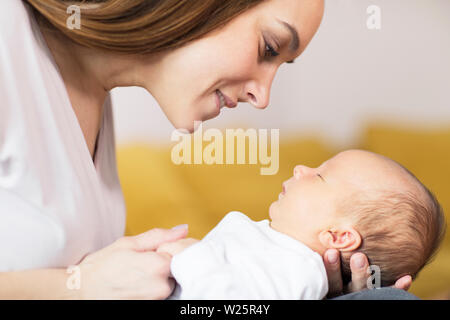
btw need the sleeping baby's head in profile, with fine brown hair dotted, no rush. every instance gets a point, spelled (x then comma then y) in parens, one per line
(359, 201)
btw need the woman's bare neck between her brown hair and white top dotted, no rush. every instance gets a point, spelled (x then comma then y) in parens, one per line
(89, 74)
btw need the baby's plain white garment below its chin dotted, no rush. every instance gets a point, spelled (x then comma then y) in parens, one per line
(244, 259)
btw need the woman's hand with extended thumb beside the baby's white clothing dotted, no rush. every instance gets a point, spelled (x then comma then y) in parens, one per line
(130, 268)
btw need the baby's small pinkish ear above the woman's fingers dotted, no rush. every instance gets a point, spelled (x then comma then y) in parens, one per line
(345, 239)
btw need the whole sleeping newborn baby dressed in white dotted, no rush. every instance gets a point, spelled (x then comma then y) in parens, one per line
(356, 201)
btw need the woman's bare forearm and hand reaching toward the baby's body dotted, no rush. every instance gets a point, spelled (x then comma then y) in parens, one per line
(127, 269)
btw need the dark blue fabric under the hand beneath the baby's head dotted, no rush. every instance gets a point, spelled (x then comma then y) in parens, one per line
(378, 294)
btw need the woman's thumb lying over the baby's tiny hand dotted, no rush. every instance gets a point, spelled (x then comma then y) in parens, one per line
(153, 238)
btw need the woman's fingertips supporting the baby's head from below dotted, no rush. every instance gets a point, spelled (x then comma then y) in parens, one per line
(358, 266)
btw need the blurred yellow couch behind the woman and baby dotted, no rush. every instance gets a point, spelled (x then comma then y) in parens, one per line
(159, 193)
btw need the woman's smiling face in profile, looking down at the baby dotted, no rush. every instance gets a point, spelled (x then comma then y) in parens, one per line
(235, 59)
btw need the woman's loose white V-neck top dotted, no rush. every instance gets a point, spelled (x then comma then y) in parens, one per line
(56, 204)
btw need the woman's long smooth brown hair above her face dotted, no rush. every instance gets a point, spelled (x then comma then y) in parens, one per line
(139, 26)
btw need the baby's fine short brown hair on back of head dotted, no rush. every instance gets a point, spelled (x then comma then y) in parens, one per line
(400, 234)
